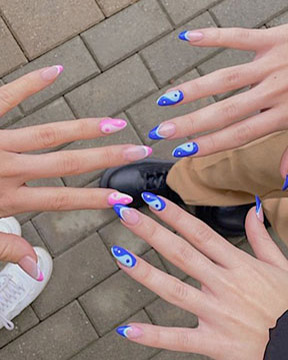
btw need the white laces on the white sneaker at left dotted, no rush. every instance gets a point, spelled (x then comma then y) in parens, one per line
(9, 291)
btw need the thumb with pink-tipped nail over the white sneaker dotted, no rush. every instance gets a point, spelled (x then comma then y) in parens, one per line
(15, 249)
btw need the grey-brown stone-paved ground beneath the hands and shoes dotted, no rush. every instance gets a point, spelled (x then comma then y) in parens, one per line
(119, 55)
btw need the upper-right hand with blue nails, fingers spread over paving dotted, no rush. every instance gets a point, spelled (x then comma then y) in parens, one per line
(266, 76)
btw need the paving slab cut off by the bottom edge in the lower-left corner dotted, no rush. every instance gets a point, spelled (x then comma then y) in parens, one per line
(59, 337)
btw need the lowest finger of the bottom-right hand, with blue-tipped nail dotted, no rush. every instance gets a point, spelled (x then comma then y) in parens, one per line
(175, 339)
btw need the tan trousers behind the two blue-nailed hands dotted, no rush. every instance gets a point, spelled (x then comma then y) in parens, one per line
(234, 177)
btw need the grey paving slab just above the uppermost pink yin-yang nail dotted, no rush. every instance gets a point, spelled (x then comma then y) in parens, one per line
(112, 91)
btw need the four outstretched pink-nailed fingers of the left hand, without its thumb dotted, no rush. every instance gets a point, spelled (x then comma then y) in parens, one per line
(17, 167)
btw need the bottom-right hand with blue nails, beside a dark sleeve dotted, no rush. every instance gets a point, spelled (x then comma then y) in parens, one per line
(241, 296)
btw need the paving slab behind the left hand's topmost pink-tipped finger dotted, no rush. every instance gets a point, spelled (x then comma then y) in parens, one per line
(78, 67)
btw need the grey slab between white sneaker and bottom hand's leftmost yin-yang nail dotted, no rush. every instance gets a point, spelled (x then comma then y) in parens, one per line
(74, 272)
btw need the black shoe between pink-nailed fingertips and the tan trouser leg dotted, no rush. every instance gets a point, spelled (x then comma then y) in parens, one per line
(147, 175)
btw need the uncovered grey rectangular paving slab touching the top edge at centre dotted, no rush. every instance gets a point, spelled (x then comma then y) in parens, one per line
(126, 32)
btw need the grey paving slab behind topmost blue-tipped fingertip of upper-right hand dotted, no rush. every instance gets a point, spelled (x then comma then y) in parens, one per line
(169, 57)
